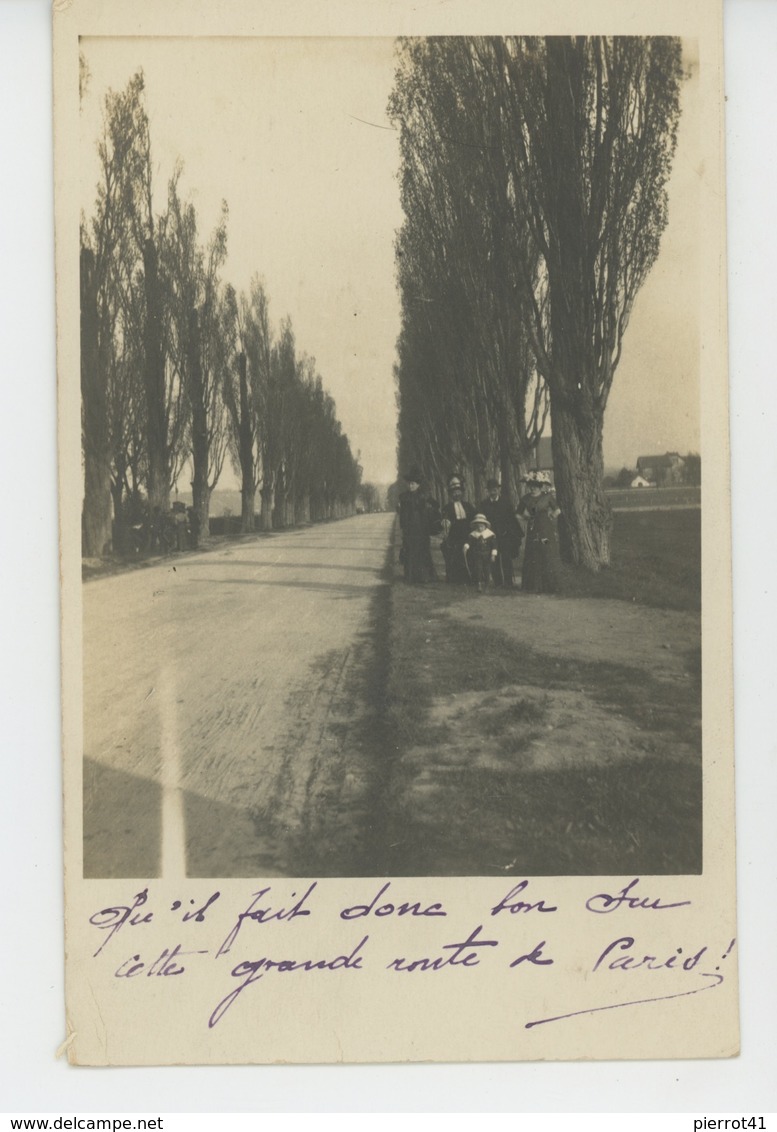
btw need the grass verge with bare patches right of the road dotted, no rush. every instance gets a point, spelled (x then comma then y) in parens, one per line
(510, 761)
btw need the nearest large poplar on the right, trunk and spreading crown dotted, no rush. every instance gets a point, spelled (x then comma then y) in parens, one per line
(590, 130)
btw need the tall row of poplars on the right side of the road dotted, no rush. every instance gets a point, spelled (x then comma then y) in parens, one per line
(534, 186)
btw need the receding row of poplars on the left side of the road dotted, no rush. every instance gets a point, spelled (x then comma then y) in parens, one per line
(178, 371)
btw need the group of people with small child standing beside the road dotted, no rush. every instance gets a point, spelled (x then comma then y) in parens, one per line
(481, 545)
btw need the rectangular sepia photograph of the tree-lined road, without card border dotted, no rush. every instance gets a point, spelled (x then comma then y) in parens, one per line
(391, 453)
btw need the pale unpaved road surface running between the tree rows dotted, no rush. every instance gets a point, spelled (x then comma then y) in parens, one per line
(227, 698)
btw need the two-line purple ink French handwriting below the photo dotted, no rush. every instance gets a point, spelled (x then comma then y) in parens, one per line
(261, 932)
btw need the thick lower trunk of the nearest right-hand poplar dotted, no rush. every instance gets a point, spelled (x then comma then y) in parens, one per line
(586, 520)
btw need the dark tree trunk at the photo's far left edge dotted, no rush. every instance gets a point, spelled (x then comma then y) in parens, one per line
(97, 514)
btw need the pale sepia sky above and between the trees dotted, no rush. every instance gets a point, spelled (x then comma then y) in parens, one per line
(294, 135)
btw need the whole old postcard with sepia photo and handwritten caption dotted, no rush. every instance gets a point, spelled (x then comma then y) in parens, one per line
(397, 654)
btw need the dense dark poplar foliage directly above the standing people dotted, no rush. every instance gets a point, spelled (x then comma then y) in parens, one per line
(464, 351)
